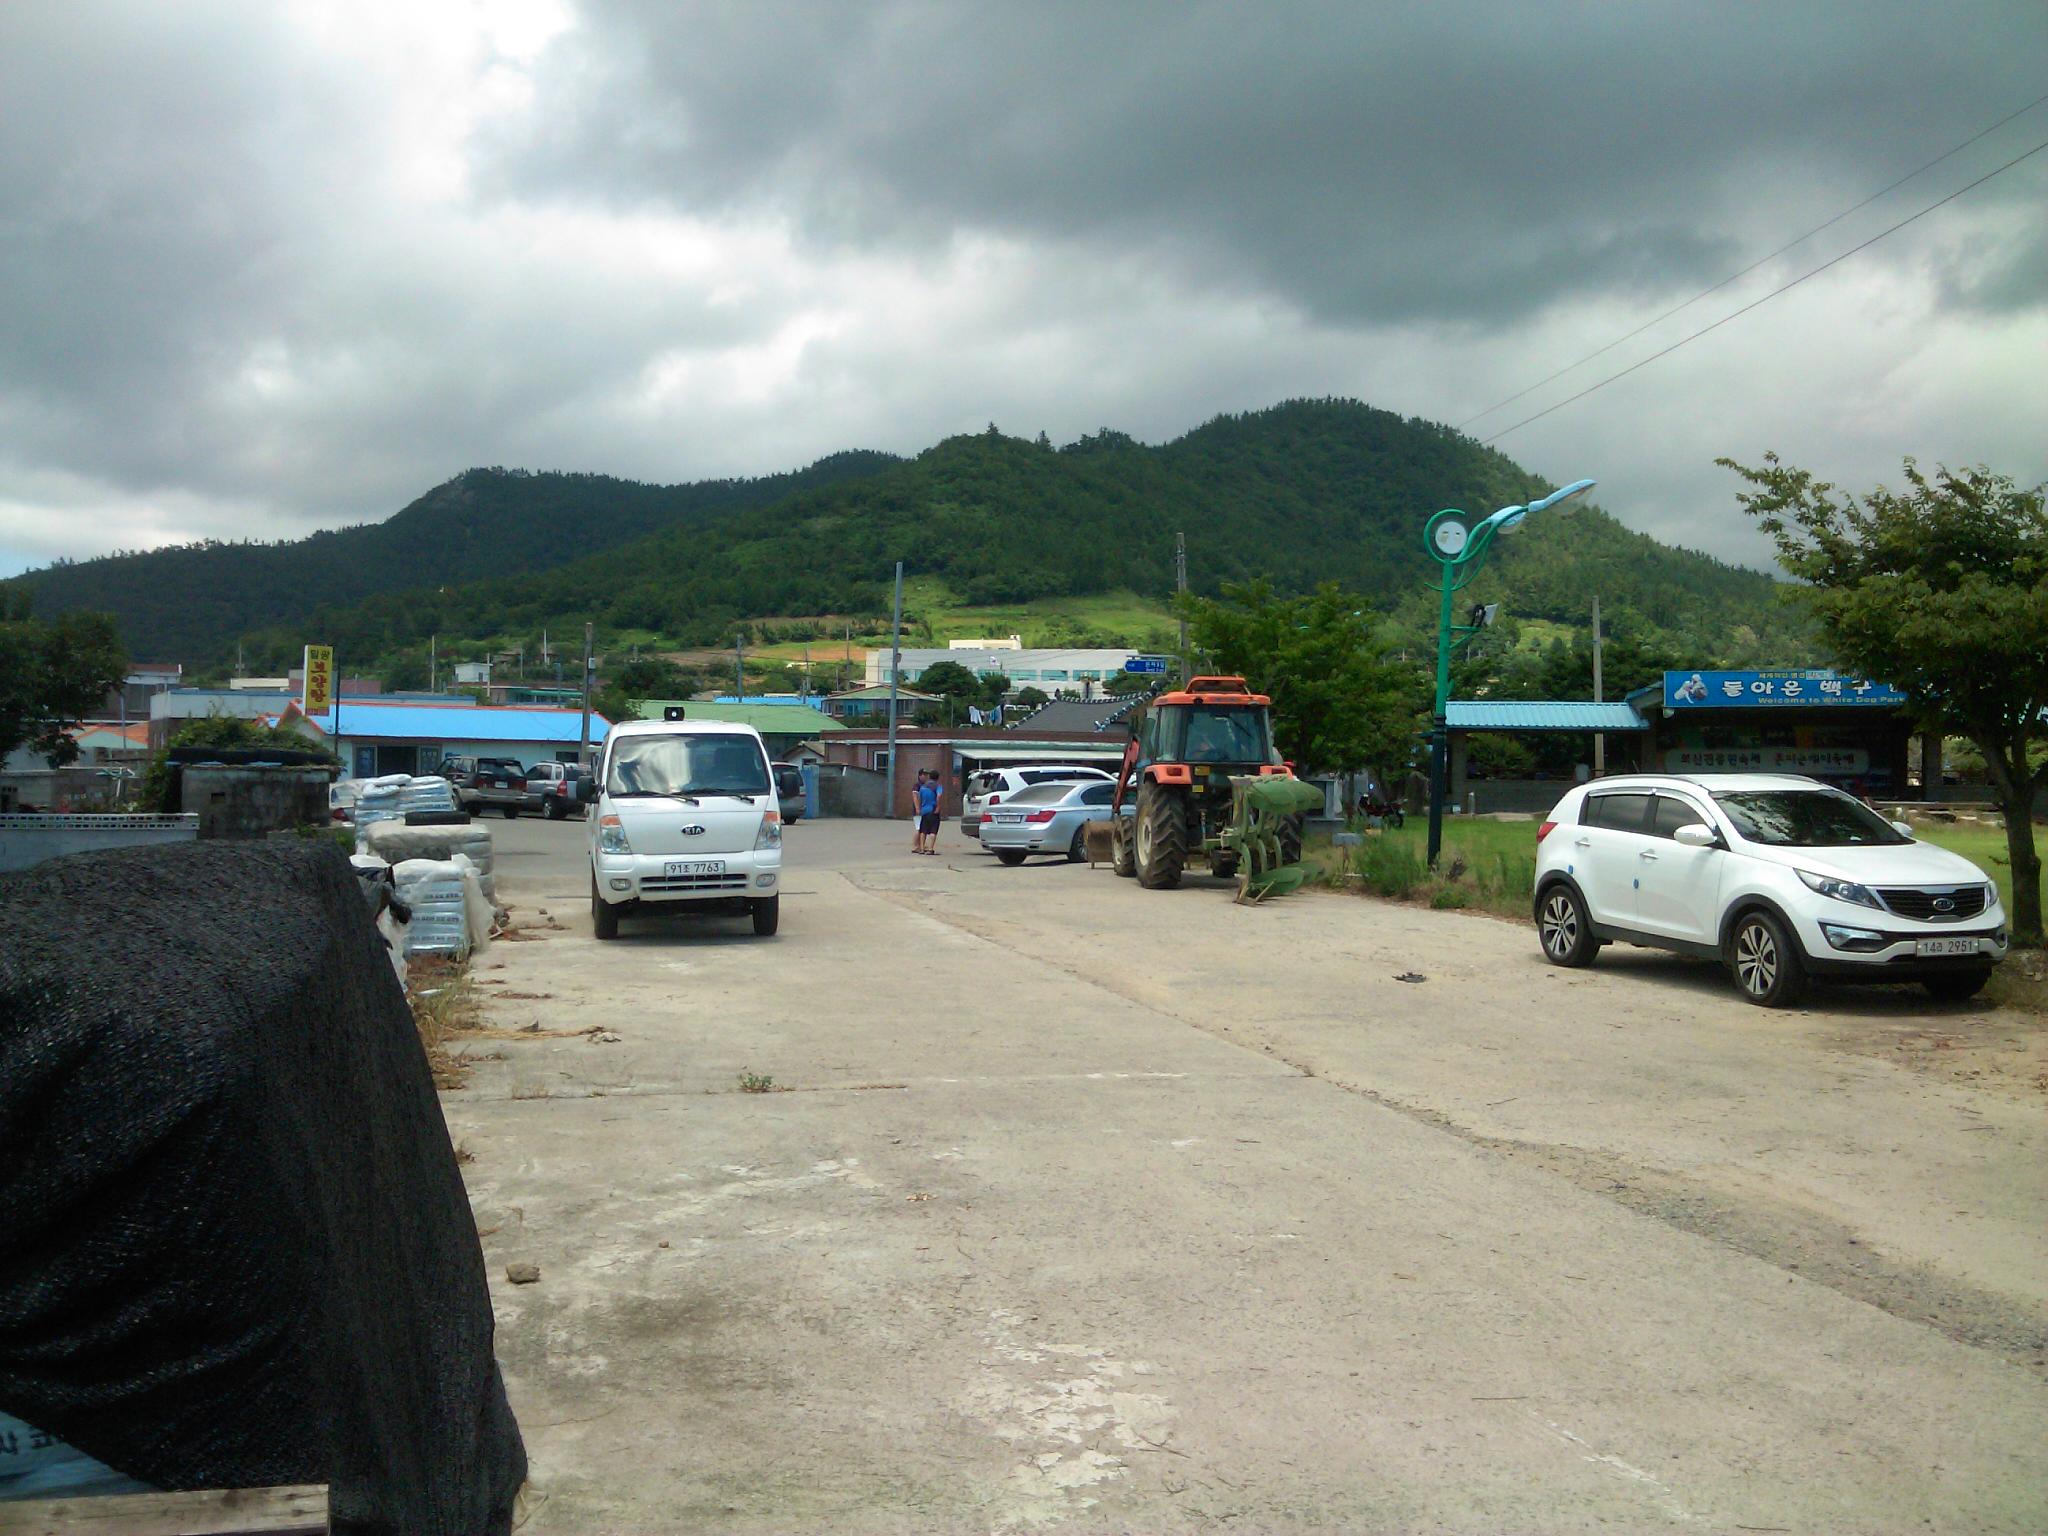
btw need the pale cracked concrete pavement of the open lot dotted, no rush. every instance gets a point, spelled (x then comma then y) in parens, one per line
(1107, 1209)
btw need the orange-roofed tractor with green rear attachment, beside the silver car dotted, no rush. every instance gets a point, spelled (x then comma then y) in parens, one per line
(1209, 783)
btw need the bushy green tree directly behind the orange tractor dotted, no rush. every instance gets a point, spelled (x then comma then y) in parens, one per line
(1340, 703)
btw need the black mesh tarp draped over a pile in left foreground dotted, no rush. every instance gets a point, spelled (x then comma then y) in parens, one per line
(234, 1244)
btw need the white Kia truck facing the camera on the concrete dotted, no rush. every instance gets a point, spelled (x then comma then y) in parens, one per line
(685, 814)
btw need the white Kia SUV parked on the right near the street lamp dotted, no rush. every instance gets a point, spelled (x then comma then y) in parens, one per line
(1779, 878)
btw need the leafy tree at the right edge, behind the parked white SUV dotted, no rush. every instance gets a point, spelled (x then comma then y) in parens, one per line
(1940, 591)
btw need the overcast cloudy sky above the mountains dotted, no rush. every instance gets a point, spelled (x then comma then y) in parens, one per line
(280, 267)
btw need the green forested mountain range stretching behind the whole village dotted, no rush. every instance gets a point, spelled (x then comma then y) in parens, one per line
(1297, 495)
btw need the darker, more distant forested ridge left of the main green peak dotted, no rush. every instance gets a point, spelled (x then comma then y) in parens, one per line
(189, 603)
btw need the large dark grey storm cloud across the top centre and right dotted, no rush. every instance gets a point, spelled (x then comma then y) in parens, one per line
(1367, 163)
